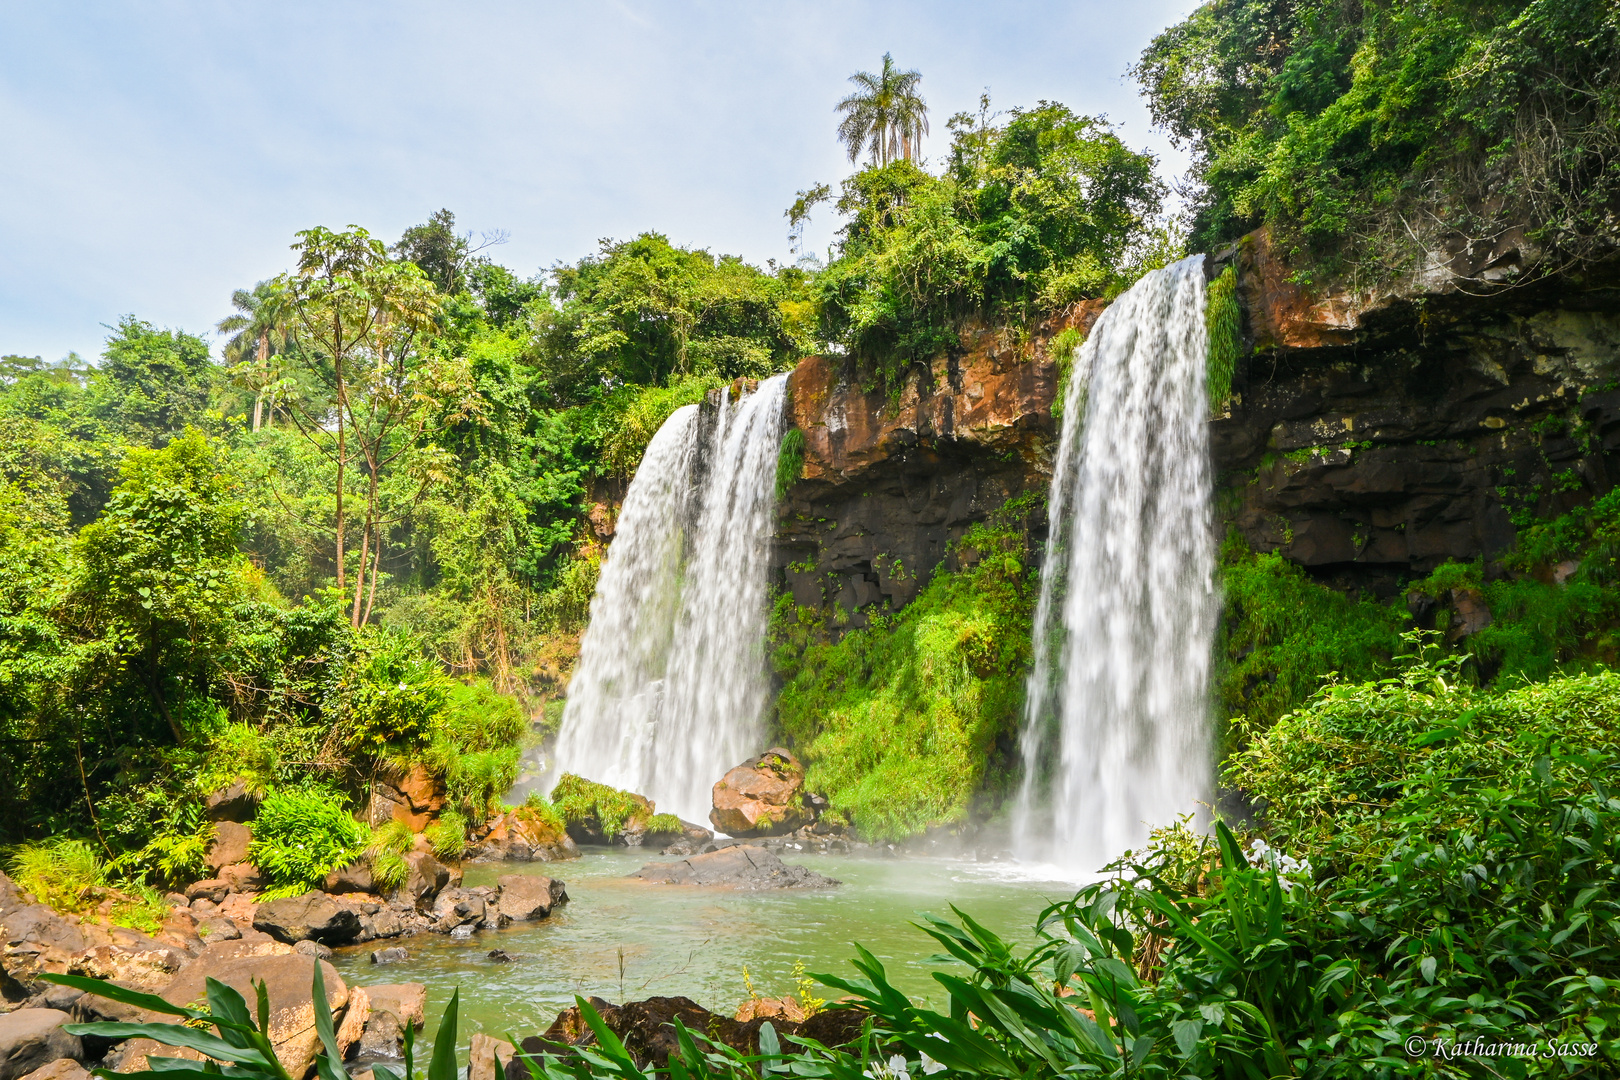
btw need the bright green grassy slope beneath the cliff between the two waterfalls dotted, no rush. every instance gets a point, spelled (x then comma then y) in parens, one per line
(900, 721)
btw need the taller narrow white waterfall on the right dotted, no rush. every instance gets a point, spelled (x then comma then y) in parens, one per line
(1117, 729)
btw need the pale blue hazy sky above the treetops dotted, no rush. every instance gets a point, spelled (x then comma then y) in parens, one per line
(156, 156)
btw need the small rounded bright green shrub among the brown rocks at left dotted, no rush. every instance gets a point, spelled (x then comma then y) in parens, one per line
(302, 836)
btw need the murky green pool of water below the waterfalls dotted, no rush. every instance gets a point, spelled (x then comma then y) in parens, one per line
(623, 940)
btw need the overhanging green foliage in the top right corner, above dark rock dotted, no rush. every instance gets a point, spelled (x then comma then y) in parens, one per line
(1366, 132)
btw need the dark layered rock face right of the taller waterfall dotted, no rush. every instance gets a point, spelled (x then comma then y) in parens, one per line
(1371, 438)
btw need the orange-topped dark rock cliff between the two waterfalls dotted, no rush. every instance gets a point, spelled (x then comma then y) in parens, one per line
(890, 482)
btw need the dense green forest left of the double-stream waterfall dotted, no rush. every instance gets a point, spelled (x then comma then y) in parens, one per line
(356, 550)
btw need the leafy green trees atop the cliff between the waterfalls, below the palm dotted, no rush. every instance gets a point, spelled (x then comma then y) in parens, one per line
(1028, 216)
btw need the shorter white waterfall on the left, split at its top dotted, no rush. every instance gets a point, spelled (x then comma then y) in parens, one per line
(670, 691)
